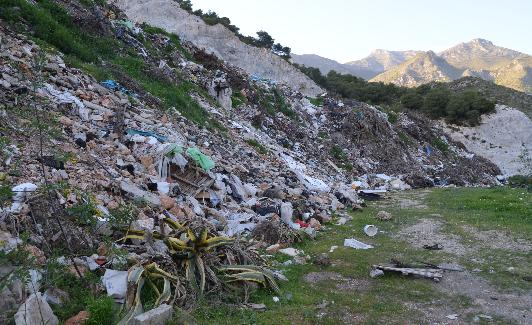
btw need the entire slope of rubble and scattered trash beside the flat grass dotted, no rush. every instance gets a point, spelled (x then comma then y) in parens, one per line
(99, 166)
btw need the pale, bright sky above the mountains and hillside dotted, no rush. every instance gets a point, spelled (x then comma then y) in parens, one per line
(346, 30)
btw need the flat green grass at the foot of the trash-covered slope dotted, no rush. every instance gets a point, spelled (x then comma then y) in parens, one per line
(350, 294)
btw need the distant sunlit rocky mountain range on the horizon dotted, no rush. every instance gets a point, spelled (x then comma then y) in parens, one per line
(477, 58)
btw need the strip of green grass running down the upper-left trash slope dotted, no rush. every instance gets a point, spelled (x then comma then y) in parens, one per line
(50, 23)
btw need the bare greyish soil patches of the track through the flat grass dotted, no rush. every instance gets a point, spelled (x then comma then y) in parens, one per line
(485, 298)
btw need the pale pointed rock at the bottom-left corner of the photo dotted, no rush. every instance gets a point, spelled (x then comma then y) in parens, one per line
(35, 311)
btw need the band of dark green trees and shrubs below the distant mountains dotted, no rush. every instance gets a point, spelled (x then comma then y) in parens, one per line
(437, 101)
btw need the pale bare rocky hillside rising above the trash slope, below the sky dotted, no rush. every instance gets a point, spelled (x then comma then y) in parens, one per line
(217, 40)
